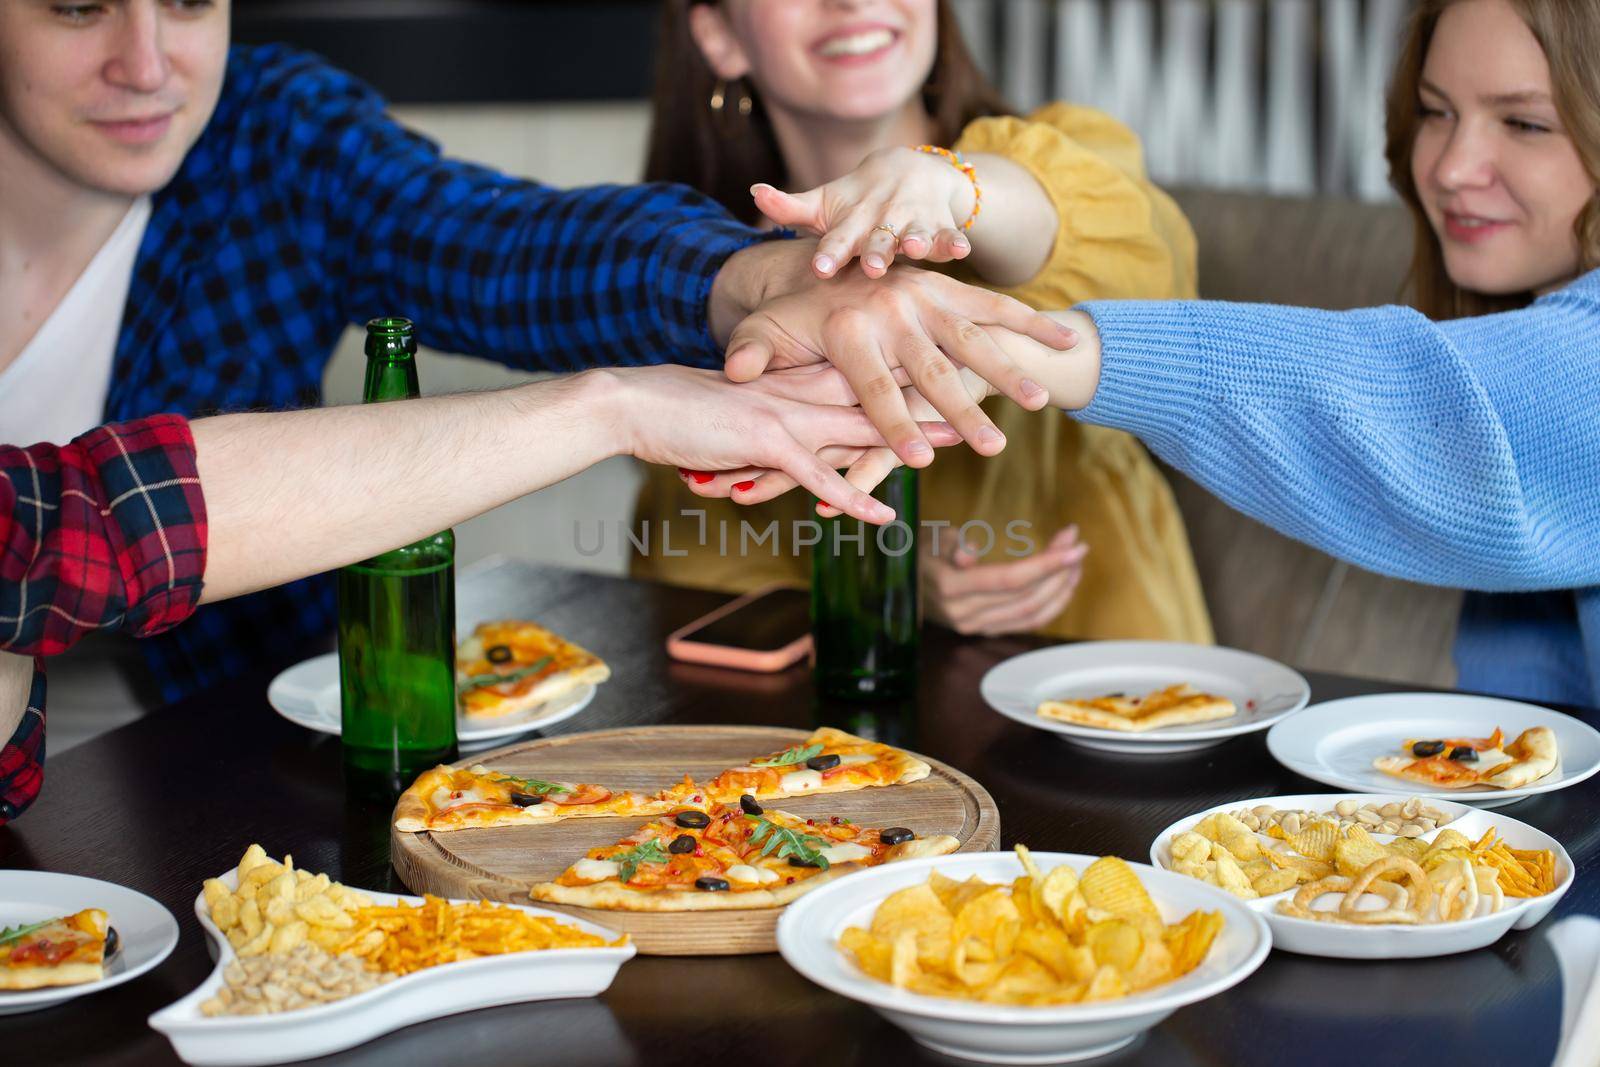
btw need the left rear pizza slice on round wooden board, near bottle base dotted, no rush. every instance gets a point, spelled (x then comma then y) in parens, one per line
(474, 797)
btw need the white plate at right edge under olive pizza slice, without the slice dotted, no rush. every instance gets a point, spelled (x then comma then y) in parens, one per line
(1337, 743)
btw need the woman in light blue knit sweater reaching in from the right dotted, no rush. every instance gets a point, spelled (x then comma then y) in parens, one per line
(1457, 444)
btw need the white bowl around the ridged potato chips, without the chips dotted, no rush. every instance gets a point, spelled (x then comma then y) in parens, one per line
(809, 940)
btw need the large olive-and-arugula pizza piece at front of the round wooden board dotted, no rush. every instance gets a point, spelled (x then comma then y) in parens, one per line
(727, 858)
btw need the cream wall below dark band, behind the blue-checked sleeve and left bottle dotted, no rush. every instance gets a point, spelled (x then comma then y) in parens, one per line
(570, 145)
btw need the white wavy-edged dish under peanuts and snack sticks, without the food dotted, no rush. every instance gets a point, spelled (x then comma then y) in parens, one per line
(431, 994)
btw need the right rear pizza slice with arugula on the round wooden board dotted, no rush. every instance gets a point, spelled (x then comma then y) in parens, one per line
(828, 762)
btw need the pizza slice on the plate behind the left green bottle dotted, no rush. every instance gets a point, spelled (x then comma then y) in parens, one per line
(508, 668)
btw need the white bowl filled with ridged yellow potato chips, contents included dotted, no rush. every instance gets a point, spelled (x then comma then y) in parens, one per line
(1023, 957)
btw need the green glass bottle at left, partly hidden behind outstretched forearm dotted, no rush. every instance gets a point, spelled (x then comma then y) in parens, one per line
(398, 620)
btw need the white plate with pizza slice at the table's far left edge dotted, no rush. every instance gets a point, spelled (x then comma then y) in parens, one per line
(63, 937)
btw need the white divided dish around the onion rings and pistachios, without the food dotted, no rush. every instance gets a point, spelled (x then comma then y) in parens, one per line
(1343, 941)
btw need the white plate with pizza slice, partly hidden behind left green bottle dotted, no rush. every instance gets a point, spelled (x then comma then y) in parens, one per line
(511, 677)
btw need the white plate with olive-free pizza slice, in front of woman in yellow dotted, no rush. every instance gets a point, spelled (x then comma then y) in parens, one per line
(1145, 697)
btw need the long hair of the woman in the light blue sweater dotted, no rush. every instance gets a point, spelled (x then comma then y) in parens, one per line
(1569, 31)
